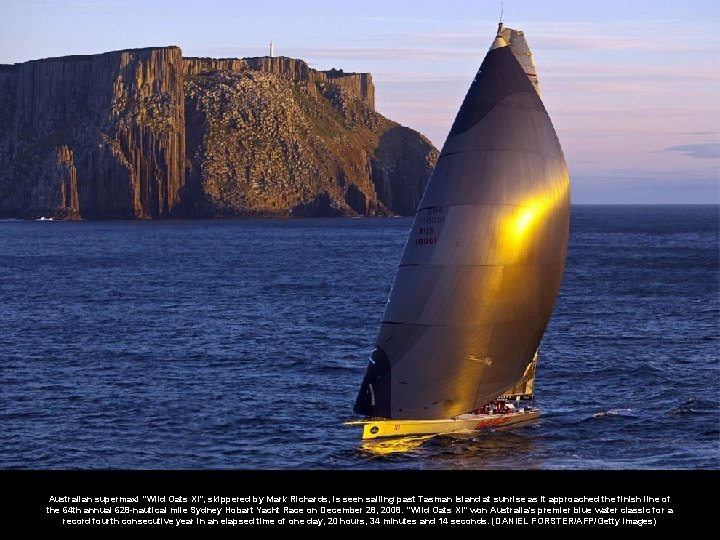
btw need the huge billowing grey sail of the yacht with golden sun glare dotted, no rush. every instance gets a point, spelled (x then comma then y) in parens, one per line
(484, 260)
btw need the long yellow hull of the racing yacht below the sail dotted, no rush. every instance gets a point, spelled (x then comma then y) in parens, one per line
(374, 428)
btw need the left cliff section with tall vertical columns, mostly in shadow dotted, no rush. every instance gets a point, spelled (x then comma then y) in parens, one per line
(102, 136)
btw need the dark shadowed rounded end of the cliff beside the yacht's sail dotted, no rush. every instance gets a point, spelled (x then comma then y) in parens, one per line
(401, 167)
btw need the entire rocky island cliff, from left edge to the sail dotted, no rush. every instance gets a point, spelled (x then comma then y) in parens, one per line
(145, 133)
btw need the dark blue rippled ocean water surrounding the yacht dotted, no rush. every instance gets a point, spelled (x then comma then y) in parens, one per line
(241, 345)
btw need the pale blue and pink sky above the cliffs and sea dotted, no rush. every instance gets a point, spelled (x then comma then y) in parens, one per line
(632, 86)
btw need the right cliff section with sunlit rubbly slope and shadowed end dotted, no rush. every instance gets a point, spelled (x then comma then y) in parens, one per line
(272, 136)
